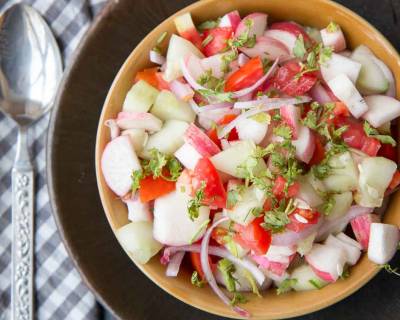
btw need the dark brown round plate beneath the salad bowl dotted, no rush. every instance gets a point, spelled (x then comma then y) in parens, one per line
(104, 266)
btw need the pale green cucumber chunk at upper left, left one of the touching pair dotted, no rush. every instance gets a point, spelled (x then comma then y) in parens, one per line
(140, 97)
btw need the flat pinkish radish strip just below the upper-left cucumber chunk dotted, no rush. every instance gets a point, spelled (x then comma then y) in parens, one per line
(138, 120)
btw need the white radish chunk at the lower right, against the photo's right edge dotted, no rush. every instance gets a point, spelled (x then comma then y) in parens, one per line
(383, 244)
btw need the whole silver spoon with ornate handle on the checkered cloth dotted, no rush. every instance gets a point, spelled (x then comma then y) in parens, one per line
(30, 71)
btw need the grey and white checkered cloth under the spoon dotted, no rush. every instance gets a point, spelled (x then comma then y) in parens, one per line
(60, 292)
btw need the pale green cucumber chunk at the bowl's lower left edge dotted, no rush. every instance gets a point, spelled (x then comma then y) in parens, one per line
(137, 240)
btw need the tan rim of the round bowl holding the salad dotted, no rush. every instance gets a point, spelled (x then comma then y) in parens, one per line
(372, 272)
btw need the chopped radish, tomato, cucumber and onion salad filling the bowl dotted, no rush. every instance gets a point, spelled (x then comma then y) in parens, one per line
(259, 151)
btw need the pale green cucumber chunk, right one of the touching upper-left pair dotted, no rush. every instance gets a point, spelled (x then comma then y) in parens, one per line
(168, 107)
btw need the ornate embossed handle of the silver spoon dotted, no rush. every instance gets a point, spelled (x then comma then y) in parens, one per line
(22, 221)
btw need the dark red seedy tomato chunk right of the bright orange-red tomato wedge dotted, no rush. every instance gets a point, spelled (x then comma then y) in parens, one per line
(286, 79)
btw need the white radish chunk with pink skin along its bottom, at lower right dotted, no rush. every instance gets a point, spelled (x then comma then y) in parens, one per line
(326, 261)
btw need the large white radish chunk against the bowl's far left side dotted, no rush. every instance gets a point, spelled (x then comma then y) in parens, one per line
(118, 162)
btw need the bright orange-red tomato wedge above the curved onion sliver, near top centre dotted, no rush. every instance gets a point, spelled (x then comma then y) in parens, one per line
(246, 76)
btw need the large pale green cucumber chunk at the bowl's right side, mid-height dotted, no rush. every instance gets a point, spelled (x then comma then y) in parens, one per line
(376, 173)
